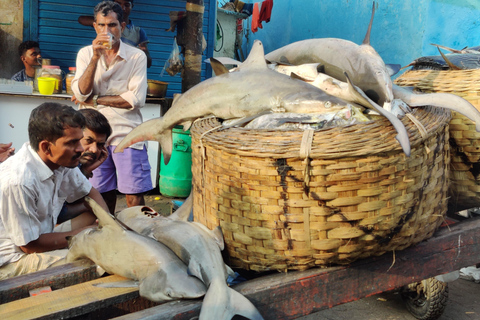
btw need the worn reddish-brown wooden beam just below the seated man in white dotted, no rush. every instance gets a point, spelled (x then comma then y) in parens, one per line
(56, 278)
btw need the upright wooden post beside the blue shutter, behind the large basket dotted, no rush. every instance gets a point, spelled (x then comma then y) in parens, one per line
(193, 43)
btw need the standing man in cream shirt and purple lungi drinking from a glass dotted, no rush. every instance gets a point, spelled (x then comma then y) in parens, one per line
(114, 81)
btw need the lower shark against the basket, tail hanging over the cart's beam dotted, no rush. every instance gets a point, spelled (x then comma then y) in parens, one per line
(198, 247)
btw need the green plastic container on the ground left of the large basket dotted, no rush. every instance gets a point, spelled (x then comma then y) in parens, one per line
(176, 177)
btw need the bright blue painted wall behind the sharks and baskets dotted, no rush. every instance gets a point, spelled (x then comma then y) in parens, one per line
(401, 32)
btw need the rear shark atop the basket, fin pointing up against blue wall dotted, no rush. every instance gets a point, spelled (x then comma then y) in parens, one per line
(361, 62)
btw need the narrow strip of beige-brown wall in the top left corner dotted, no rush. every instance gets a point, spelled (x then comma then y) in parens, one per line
(11, 29)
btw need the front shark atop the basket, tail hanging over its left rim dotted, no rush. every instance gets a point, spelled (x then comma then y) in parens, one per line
(235, 95)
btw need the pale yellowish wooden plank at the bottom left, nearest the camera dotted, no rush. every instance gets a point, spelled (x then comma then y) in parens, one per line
(69, 302)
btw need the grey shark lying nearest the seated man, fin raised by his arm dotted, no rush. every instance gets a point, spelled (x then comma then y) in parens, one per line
(161, 275)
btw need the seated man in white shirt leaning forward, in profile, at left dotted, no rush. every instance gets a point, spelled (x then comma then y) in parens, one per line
(34, 185)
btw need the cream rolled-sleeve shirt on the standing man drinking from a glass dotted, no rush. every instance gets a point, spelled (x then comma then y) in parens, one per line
(126, 77)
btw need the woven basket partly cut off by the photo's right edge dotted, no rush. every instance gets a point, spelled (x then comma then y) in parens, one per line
(464, 189)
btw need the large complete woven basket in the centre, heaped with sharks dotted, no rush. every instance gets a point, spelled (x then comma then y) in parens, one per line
(348, 193)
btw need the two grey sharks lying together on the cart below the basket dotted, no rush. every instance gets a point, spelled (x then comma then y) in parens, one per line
(168, 257)
